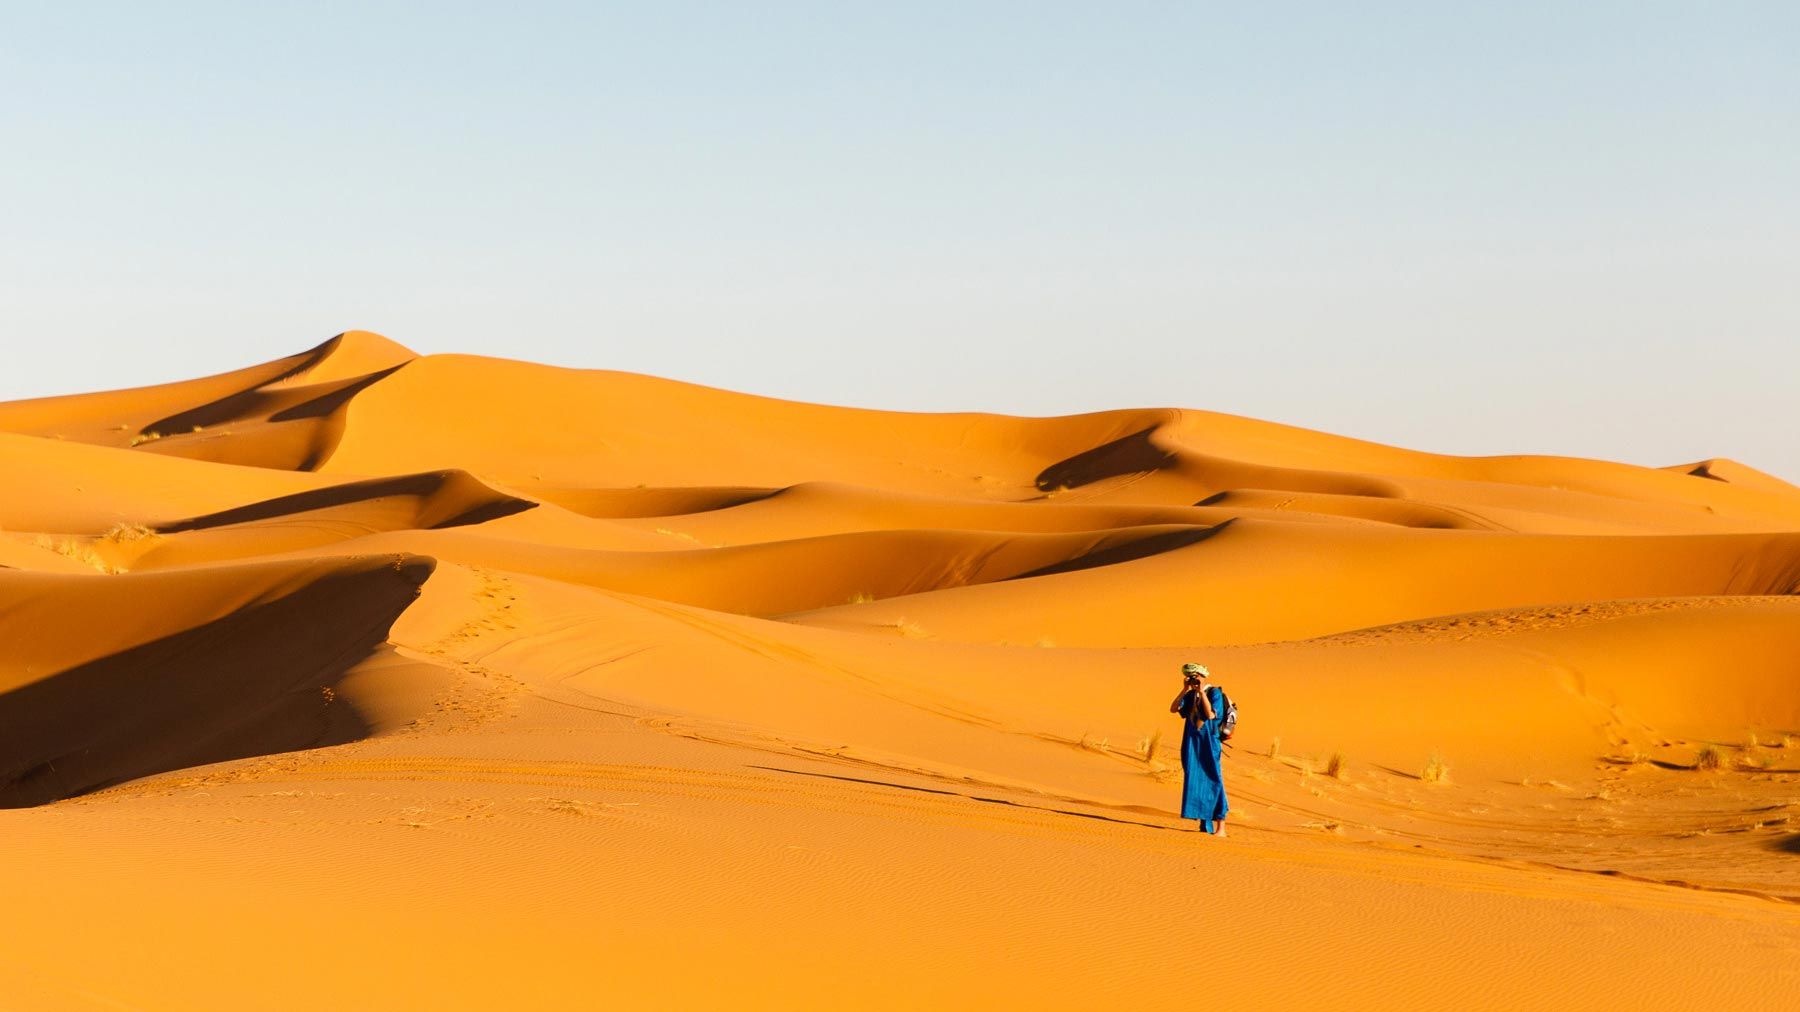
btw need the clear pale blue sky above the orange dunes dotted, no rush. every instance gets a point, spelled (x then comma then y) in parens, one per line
(1466, 228)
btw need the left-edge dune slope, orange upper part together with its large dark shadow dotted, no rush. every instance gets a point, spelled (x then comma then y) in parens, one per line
(154, 694)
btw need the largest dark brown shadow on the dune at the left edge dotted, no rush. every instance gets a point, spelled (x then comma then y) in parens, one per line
(246, 685)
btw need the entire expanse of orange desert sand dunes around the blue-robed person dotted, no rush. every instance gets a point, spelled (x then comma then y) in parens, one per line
(366, 680)
